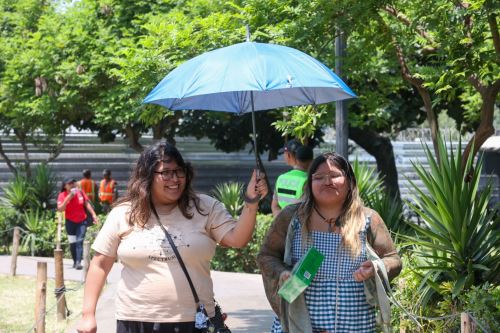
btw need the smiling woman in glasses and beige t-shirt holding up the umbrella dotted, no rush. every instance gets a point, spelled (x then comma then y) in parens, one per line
(160, 206)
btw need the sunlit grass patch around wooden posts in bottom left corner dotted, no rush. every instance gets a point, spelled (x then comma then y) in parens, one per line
(17, 305)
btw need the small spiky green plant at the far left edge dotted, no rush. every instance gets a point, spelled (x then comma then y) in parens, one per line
(19, 194)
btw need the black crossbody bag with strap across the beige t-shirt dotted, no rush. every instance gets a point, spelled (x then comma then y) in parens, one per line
(202, 321)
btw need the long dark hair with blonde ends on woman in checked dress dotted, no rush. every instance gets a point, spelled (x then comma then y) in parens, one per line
(352, 217)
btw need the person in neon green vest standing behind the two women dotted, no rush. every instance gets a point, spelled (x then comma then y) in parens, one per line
(289, 186)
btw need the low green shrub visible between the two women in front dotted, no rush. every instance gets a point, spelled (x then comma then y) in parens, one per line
(243, 260)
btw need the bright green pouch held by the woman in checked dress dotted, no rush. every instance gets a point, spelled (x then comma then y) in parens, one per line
(303, 273)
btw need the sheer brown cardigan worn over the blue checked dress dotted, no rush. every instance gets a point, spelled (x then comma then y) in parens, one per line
(270, 257)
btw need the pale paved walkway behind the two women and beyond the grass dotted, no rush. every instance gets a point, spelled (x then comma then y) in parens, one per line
(241, 295)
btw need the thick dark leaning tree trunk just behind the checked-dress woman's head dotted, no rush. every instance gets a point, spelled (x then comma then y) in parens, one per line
(381, 148)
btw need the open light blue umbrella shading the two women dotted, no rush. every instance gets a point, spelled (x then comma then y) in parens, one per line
(249, 77)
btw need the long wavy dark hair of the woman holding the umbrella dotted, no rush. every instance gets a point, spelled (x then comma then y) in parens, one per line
(139, 187)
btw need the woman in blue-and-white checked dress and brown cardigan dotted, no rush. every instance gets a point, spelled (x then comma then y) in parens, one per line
(331, 218)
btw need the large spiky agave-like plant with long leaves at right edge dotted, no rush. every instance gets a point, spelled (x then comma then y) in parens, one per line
(459, 241)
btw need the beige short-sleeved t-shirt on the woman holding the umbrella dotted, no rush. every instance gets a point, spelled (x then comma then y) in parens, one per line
(153, 287)
